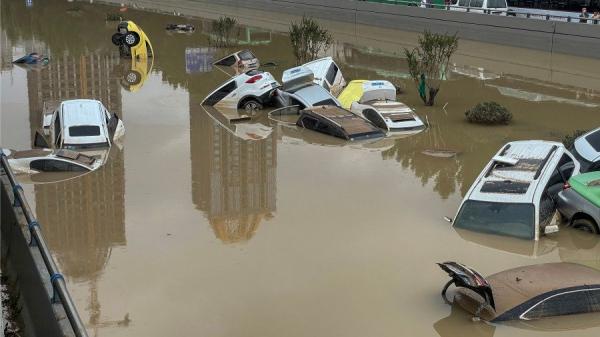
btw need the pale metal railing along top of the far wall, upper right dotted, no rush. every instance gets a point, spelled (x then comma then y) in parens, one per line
(523, 13)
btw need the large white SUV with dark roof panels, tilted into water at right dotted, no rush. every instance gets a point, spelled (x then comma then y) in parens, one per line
(515, 194)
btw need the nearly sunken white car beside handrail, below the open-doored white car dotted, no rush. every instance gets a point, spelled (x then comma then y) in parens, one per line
(45, 160)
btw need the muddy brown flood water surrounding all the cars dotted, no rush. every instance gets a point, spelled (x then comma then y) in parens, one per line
(190, 230)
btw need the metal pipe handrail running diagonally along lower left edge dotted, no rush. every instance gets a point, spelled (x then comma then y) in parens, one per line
(59, 285)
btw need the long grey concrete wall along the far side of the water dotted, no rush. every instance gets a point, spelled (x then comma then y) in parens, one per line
(549, 36)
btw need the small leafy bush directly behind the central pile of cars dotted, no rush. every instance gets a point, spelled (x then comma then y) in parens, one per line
(308, 39)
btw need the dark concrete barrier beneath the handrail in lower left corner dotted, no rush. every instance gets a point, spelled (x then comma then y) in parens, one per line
(24, 267)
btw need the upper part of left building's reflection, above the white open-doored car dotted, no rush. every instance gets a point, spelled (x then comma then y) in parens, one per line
(68, 77)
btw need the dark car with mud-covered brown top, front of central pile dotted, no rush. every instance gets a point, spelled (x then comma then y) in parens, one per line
(337, 122)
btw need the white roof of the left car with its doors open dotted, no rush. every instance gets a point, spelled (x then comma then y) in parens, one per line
(82, 112)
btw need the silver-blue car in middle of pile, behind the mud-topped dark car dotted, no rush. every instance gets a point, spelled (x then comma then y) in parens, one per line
(299, 89)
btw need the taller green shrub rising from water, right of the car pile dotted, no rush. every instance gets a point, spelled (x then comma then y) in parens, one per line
(428, 63)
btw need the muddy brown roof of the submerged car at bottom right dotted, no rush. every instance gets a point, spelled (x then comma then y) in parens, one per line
(513, 287)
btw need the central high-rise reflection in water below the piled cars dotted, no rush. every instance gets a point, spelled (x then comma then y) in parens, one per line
(233, 181)
